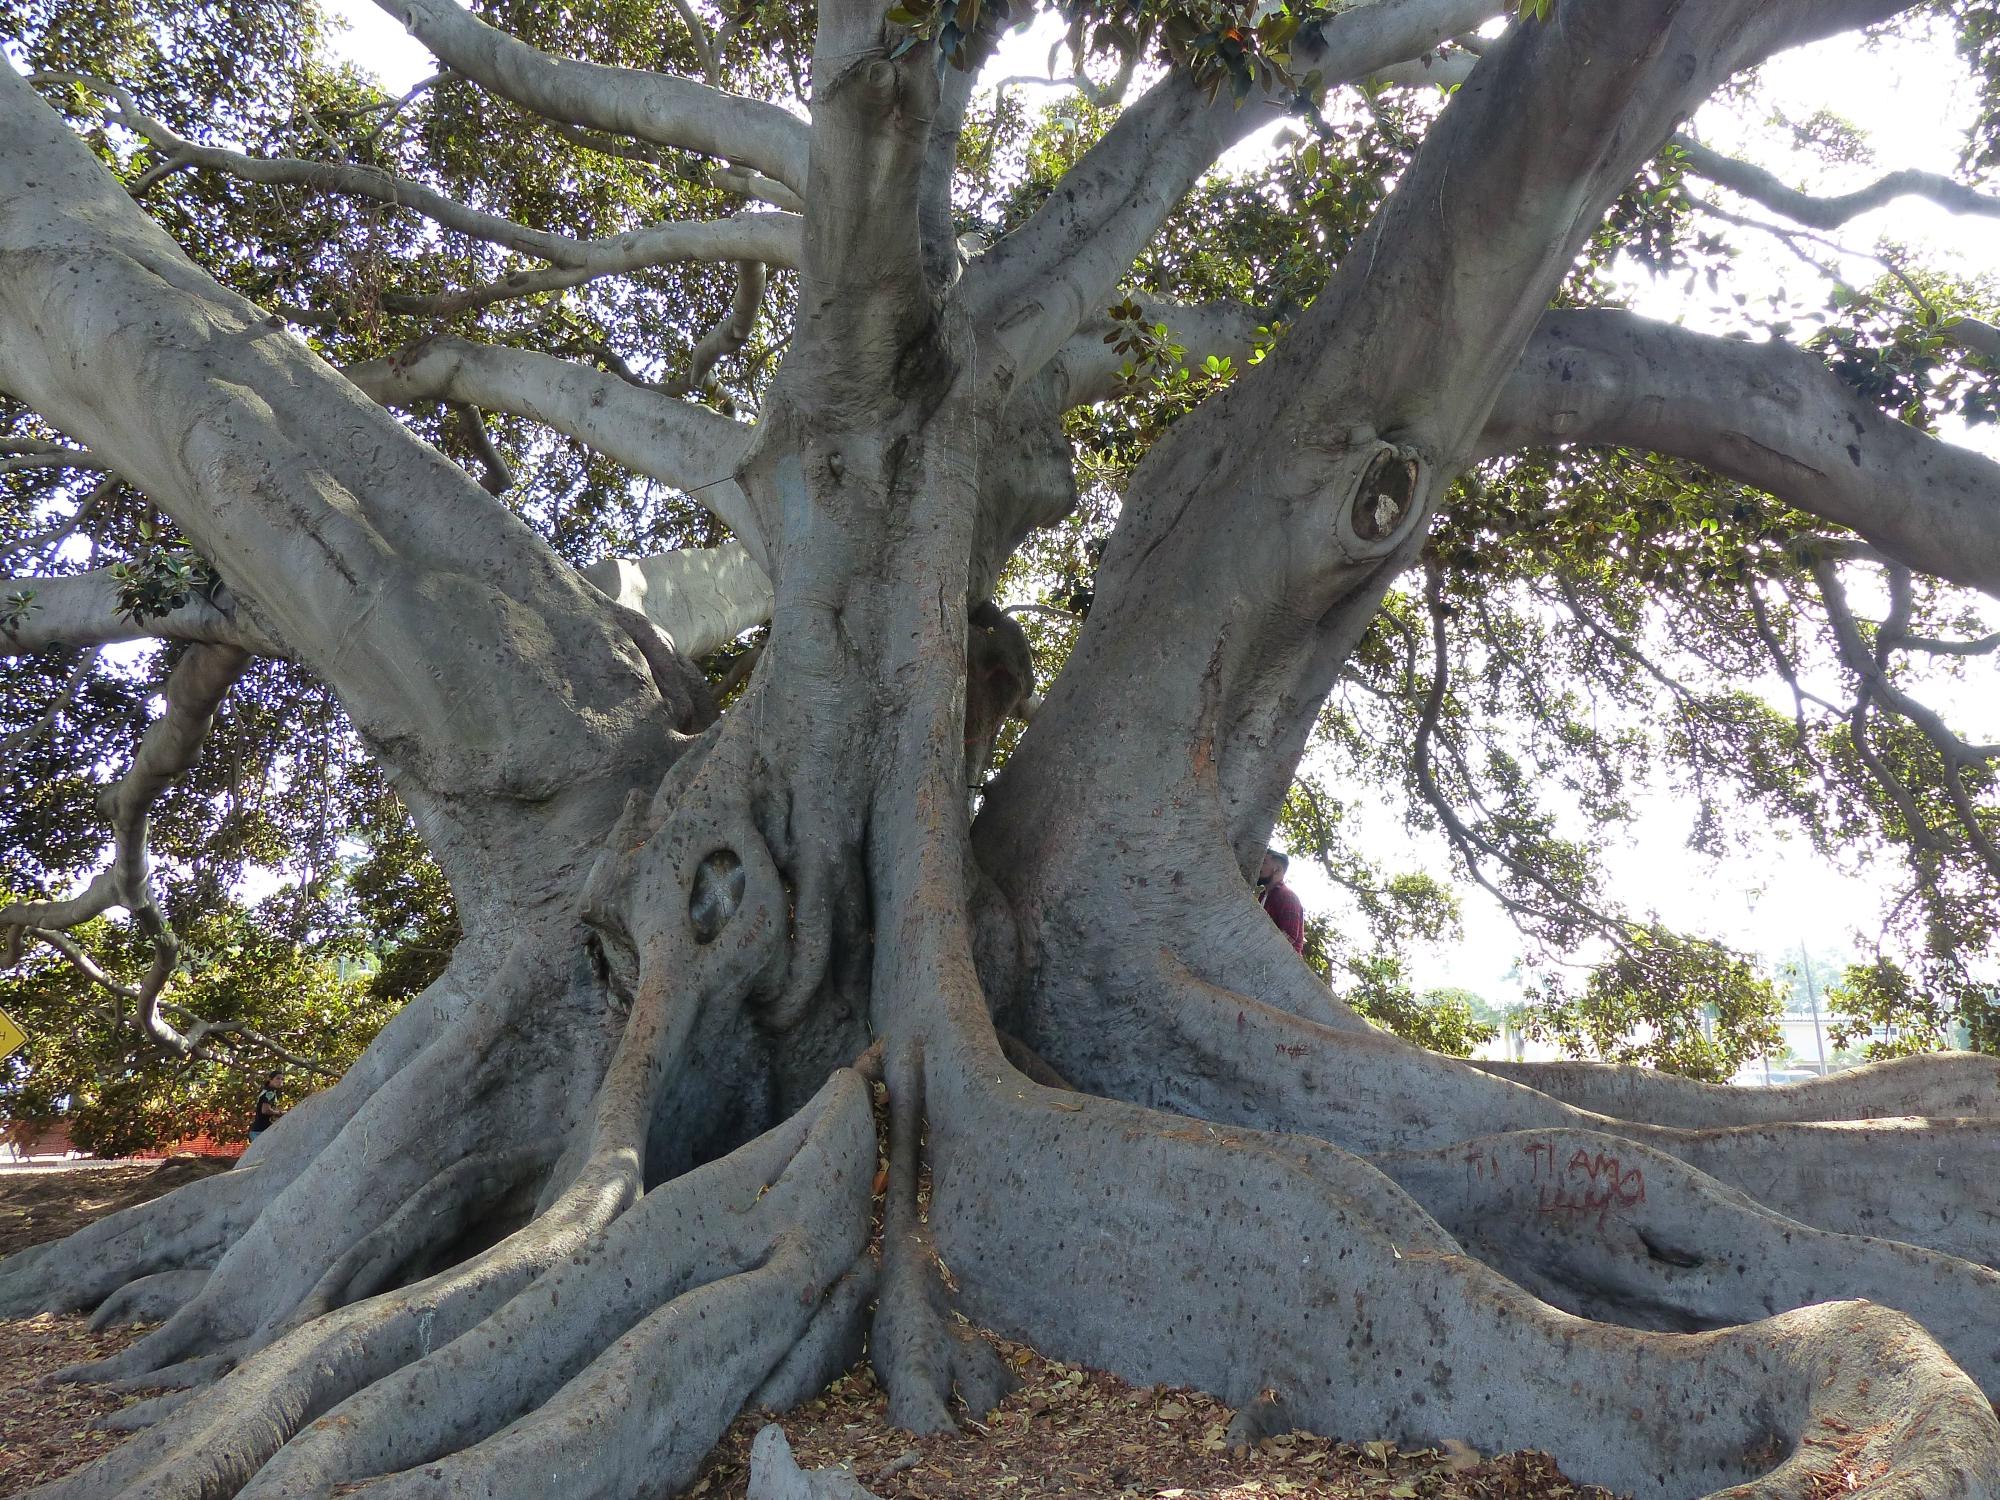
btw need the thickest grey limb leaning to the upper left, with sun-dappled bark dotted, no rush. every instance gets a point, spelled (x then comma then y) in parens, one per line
(367, 553)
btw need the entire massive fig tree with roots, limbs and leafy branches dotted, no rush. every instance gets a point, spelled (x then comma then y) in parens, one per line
(767, 1041)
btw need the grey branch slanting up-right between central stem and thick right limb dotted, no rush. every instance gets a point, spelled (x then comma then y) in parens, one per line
(1045, 279)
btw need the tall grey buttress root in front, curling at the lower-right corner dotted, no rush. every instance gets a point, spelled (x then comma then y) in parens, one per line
(1239, 1261)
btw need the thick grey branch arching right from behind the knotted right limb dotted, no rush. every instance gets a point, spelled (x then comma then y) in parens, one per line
(1767, 415)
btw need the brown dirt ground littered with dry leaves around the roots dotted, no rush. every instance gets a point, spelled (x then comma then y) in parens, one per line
(1063, 1433)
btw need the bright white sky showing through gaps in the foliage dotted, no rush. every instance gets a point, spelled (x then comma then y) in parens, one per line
(1911, 101)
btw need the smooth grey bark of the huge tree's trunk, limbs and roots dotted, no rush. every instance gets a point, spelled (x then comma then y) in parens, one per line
(697, 947)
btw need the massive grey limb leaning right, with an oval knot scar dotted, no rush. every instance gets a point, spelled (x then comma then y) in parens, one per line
(1269, 517)
